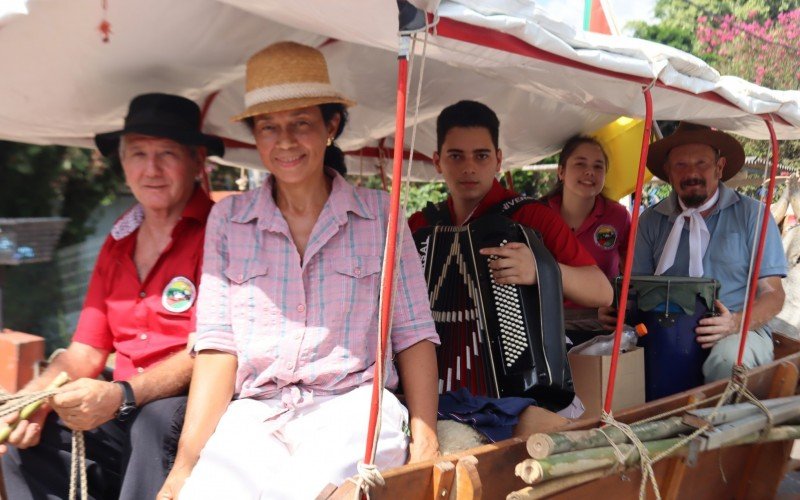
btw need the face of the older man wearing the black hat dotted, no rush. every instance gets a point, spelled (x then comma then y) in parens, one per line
(160, 172)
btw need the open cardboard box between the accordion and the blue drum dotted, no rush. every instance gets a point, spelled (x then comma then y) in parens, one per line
(590, 376)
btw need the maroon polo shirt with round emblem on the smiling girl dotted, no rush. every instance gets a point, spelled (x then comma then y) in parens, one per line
(604, 233)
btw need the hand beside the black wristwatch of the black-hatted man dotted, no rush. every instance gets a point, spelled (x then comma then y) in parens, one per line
(87, 403)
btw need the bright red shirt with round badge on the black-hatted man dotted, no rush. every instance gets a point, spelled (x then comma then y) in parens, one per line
(145, 321)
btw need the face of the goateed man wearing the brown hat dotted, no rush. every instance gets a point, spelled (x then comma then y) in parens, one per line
(694, 171)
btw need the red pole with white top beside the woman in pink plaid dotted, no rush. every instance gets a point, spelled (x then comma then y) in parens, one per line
(391, 239)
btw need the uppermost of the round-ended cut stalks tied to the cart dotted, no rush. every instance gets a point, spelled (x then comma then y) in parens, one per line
(544, 445)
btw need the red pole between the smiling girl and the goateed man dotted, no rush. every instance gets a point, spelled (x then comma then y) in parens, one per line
(626, 275)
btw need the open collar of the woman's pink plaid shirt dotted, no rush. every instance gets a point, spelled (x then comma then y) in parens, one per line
(344, 198)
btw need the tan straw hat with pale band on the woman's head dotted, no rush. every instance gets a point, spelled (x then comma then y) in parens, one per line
(287, 75)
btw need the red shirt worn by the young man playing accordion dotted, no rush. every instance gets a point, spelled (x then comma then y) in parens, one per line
(556, 235)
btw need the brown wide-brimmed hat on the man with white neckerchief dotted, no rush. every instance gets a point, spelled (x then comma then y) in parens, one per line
(692, 133)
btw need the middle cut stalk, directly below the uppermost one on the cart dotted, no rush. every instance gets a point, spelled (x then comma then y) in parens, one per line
(534, 471)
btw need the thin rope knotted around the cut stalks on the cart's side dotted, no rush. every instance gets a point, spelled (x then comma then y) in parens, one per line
(737, 386)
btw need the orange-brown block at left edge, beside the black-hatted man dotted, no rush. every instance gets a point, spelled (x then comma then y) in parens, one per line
(19, 354)
